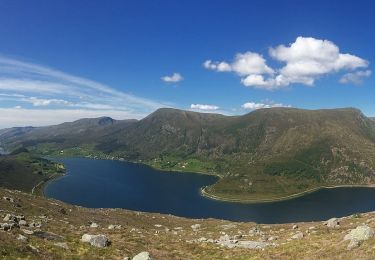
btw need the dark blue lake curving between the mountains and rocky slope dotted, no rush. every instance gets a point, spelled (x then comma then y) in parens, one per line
(114, 184)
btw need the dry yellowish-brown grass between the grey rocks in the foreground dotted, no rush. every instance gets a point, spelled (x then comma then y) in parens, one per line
(139, 233)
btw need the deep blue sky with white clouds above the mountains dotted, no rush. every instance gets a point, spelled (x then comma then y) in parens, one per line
(65, 60)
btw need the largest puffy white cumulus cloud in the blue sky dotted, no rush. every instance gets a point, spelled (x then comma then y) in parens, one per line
(304, 61)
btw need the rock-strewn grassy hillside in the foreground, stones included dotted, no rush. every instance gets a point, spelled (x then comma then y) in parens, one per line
(38, 228)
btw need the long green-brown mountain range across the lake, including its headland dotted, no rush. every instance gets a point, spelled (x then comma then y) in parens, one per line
(268, 153)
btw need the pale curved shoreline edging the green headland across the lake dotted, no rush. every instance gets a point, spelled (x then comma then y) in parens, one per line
(205, 194)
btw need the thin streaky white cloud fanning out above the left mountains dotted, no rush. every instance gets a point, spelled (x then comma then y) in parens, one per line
(28, 85)
